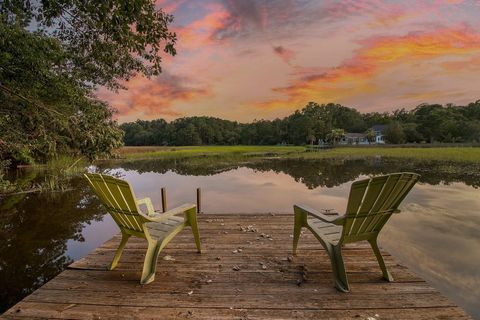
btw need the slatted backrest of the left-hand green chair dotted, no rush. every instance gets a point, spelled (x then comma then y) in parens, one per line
(118, 198)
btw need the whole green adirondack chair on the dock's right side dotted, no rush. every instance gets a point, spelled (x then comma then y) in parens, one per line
(370, 205)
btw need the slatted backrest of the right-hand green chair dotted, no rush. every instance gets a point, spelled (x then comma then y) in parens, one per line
(372, 202)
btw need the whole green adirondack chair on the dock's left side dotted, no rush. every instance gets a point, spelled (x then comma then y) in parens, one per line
(157, 228)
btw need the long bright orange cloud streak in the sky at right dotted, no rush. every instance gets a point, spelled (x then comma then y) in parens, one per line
(354, 76)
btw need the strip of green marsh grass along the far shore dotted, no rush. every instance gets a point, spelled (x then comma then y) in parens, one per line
(456, 154)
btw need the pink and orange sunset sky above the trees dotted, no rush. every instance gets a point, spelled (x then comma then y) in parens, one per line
(252, 59)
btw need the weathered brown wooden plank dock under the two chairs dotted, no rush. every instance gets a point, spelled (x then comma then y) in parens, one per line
(268, 284)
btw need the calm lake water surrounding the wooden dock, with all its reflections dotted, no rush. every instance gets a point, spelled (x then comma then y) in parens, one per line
(436, 235)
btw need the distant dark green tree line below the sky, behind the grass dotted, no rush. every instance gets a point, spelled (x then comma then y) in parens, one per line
(424, 124)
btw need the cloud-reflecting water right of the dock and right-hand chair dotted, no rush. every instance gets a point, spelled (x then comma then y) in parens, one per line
(437, 237)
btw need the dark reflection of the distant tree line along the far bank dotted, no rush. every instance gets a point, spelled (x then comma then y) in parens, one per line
(314, 173)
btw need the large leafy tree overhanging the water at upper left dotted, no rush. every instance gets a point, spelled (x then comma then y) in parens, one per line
(54, 55)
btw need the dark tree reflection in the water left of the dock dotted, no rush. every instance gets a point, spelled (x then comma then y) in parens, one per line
(34, 230)
